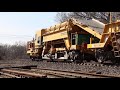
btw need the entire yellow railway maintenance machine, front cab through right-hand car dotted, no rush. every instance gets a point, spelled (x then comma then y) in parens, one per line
(76, 41)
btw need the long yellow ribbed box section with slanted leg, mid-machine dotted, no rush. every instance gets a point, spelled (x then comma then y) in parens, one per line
(57, 33)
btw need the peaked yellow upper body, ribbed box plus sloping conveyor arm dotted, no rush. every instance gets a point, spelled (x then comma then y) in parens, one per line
(61, 31)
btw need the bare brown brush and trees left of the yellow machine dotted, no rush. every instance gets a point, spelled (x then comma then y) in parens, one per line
(16, 51)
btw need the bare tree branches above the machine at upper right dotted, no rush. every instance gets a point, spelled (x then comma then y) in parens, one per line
(101, 16)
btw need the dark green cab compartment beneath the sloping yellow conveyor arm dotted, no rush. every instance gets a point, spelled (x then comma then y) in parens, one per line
(81, 39)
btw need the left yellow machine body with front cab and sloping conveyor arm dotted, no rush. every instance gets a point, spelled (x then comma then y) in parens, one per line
(60, 37)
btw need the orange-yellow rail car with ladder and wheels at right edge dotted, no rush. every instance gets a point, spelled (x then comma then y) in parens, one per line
(108, 47)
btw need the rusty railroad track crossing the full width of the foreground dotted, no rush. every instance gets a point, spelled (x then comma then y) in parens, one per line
(48, 73)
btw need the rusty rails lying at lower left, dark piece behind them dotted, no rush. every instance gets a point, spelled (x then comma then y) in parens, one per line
(17, 72)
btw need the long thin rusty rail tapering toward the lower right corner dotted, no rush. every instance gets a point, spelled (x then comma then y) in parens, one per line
(78, 74)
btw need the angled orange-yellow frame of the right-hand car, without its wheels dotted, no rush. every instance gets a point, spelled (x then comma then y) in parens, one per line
(109, 31)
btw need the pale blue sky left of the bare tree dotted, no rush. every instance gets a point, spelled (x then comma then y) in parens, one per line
(21, 26)
